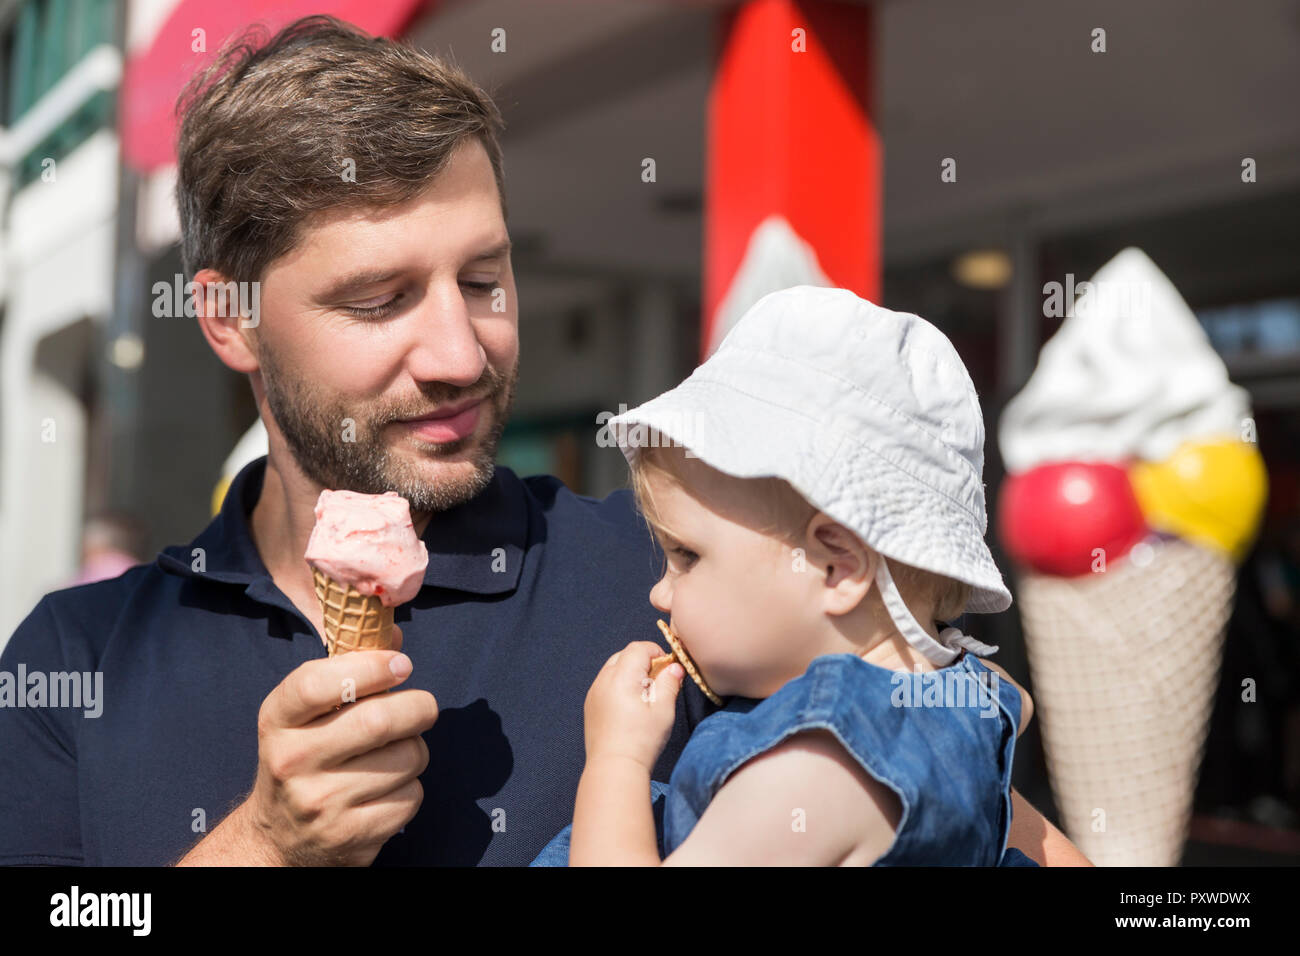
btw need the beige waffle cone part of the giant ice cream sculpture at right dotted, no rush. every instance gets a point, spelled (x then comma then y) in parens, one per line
(1125, 667)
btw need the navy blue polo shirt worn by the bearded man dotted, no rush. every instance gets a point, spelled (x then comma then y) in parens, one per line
(528, 592)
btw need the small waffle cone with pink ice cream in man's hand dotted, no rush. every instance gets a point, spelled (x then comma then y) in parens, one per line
(366, 561)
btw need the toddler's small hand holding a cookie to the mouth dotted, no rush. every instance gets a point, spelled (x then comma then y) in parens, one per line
(629, 715)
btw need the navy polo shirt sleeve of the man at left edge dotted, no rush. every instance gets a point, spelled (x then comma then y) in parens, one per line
(40, 808)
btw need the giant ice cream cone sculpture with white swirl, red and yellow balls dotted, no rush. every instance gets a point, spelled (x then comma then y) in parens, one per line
(1134, 487)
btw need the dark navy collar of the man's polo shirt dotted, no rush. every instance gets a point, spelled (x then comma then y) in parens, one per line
(463, 542)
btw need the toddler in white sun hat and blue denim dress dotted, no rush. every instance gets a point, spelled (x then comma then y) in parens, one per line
(817, 488)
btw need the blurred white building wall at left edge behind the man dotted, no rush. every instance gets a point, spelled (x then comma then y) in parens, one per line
(59, 267)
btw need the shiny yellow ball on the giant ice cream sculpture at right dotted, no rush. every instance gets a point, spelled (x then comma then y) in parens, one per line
(1211, 494)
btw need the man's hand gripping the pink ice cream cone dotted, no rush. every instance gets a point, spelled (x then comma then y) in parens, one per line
(339, 763)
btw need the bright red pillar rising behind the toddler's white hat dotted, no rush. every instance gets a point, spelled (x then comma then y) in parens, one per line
(791, 148)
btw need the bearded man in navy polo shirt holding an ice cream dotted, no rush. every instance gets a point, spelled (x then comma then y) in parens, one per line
(361, 185)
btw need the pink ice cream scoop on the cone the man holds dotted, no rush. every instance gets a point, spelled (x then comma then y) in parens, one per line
(369, 542)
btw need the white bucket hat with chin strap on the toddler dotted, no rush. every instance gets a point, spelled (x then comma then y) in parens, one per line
(869, 414)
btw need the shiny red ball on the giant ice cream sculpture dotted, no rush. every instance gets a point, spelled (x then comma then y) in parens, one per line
(1055, 518)
